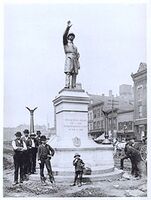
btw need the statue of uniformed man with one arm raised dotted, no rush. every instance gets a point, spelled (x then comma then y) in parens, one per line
(72, 64)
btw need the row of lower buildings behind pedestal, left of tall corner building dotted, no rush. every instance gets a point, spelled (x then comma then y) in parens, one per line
(113, 106)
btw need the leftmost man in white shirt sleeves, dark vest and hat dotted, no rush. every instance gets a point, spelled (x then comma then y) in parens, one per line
(19, 147)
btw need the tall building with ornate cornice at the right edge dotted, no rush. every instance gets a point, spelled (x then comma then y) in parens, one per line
(140, 101)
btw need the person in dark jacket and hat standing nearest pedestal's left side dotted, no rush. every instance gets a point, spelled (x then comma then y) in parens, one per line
(45, 152)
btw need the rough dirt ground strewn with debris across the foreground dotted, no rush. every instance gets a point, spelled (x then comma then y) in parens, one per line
(126, 186)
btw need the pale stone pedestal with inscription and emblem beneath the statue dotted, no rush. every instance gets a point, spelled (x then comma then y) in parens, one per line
(71, 118)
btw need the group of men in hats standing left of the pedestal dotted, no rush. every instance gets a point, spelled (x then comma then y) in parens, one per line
(25, 149)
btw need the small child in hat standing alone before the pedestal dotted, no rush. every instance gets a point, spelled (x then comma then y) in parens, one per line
(79, 166)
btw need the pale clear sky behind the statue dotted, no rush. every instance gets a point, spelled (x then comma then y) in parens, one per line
(111, 40)
